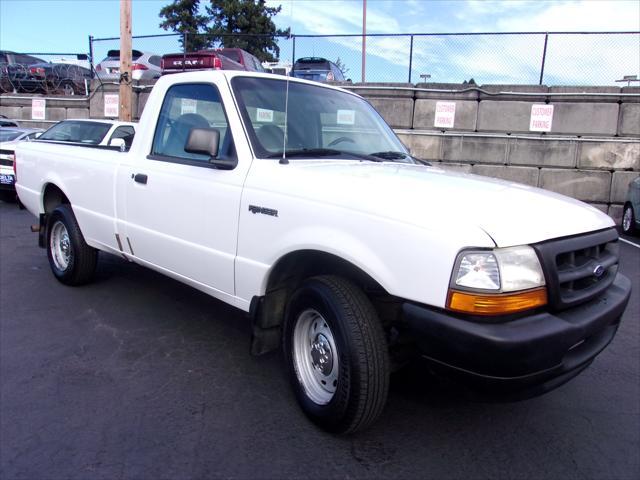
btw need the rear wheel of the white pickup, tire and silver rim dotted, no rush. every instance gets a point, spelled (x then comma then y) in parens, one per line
(78, 265)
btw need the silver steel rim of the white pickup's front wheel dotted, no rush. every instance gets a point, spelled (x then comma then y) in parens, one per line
(315, 357)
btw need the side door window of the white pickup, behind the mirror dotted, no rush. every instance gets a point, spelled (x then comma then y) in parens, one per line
(185, 107)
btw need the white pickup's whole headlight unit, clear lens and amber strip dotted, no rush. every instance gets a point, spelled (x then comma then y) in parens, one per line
(497, 282)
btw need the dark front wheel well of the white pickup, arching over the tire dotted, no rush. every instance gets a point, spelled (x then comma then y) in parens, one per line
(268, 312)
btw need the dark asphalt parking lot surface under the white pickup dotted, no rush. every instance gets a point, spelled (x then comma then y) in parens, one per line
(138, 376)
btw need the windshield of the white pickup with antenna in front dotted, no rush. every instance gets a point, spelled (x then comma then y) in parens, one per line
(317, 118)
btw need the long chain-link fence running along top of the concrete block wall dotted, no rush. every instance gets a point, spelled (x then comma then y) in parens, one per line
(553, 58)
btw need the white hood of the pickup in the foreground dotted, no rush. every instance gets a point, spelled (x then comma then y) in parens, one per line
(432, 198)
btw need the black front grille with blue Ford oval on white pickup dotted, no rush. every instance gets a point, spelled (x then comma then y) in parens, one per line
(578, 268)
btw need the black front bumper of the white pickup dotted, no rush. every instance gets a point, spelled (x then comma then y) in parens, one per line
(523, 357)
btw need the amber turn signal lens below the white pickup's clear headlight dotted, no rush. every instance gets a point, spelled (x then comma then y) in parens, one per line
(496, 304)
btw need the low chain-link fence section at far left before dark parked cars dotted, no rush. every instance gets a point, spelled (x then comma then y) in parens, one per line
(48, 73)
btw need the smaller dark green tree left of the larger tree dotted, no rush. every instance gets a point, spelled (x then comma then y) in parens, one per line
(183, 16)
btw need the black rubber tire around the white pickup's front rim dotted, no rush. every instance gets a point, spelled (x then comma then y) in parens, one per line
(362, 352)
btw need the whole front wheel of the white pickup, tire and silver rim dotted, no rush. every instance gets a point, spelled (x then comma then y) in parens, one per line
(336, 354)
